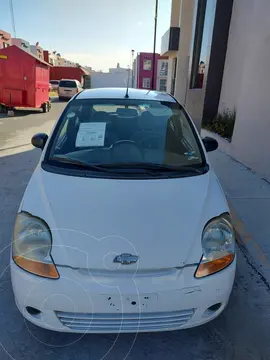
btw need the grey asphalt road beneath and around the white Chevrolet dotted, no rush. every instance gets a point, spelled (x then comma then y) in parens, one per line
(242, 332)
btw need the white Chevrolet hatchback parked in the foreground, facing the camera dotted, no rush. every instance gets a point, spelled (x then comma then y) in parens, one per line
(124, 226)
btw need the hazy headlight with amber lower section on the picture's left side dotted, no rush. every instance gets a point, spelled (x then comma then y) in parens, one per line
(32, 244)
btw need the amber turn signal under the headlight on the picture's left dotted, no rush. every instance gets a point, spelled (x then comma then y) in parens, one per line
(37, 268)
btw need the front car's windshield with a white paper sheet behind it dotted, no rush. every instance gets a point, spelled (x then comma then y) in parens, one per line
(125, 133)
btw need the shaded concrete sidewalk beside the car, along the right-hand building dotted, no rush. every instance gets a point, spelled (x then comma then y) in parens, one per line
(249, 198)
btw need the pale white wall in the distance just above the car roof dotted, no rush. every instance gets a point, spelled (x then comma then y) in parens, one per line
(114, 79)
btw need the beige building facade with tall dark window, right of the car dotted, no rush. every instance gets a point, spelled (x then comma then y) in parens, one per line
(222, 67)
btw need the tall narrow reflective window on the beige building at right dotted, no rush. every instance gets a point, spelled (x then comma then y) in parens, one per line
(203, 31)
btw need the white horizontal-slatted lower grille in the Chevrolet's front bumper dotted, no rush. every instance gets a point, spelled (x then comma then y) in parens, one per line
(125, 322)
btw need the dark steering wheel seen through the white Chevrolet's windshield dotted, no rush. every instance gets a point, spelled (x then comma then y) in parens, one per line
(126, 151)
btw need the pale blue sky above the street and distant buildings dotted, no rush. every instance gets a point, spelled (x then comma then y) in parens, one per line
(97, 33)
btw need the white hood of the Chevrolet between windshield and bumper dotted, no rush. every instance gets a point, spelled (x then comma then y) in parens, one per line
(93, 220)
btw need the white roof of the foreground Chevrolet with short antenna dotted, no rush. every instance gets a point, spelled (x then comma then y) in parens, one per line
(119, 93)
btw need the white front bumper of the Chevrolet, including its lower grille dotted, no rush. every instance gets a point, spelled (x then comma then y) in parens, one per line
(85, 302)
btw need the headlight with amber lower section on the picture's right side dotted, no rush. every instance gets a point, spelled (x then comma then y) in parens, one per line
(218, 244)
